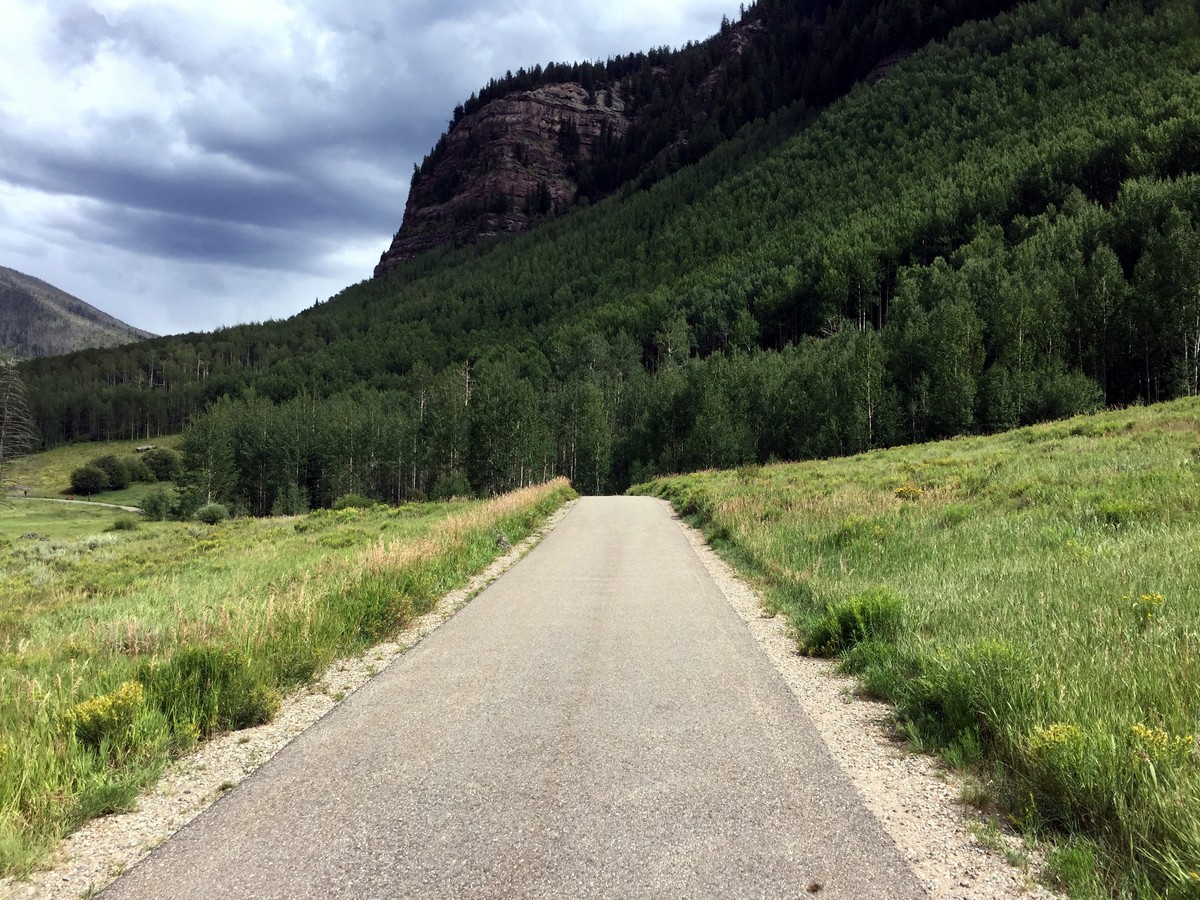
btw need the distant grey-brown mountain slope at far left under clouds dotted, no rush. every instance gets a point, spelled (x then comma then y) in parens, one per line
(38, 320)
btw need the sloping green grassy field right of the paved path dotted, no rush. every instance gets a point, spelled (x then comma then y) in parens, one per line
(1031, 605)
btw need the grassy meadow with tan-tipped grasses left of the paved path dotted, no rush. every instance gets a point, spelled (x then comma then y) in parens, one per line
(122, 647)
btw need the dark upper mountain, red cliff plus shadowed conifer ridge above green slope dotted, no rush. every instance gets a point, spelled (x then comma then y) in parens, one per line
(533, 145)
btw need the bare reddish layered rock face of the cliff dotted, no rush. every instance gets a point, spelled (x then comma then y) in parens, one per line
(501, 167)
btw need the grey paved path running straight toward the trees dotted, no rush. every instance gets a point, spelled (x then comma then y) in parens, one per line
(598, 723)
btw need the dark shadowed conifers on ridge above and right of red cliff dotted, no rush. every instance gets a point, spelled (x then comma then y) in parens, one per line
(793, 53)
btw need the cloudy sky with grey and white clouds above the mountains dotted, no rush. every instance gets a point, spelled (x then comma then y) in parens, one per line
(185, 165)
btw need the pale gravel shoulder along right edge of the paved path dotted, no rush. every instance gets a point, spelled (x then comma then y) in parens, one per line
(914, 799)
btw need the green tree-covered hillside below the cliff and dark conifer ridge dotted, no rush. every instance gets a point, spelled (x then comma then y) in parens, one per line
(1003, 230)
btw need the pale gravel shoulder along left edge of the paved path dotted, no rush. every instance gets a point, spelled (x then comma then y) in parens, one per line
(106, 848)
